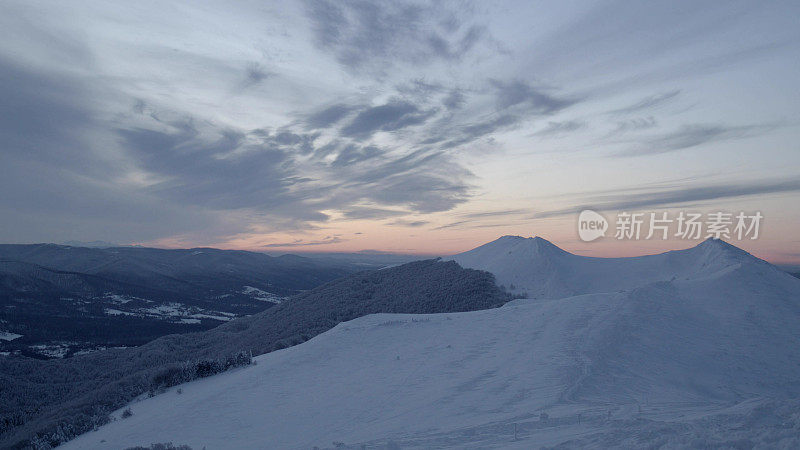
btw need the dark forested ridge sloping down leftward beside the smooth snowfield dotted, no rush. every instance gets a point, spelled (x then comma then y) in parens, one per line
(37, 395)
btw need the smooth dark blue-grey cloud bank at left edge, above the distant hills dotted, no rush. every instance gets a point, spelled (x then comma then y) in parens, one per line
(64, 185)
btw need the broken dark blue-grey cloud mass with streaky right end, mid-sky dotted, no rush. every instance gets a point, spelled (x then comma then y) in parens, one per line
(266, 172)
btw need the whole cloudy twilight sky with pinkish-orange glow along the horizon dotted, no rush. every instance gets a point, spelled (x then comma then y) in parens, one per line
(406, 127)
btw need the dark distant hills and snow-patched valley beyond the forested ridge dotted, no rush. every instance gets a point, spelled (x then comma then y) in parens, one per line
(65, 299)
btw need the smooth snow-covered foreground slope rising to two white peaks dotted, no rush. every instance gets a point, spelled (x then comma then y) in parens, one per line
(692, 348)
